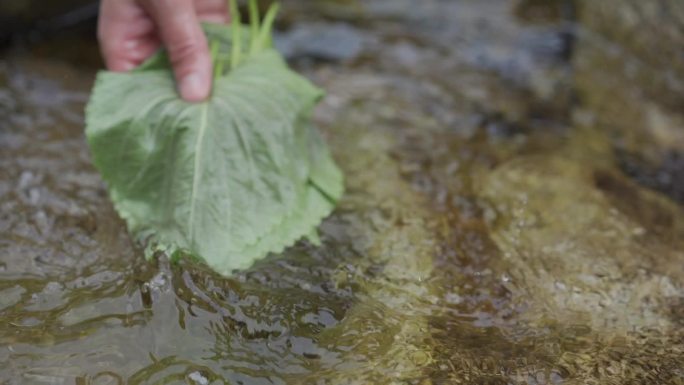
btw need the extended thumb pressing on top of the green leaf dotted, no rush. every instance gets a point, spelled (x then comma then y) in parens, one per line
(186, 44)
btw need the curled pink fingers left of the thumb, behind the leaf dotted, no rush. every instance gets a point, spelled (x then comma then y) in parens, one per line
(125, 34)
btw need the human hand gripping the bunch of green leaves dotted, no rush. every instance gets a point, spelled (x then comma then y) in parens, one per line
(130, 31)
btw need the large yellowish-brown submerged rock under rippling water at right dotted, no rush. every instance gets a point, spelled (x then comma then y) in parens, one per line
(576, 254)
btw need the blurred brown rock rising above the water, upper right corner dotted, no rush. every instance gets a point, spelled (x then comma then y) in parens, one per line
(629, 70)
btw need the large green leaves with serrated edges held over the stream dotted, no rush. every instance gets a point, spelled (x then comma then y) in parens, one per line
(227, 180)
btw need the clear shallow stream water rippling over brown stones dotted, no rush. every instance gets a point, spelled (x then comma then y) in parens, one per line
(502, 223)
